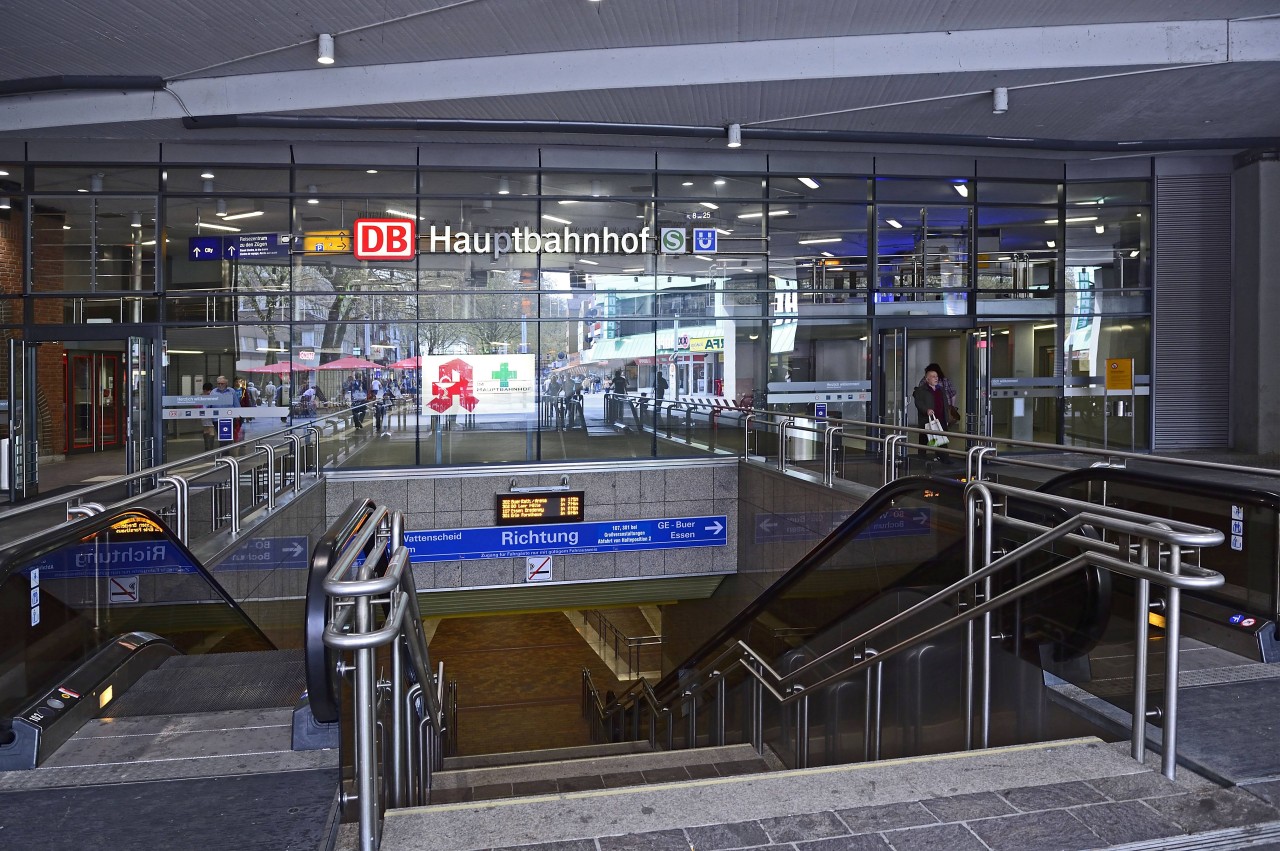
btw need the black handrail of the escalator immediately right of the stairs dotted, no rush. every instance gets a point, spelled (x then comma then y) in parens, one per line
(866, 514)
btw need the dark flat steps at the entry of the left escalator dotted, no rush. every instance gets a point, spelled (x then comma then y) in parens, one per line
(213, 684)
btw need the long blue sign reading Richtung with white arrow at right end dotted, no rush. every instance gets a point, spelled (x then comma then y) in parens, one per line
(565, 539)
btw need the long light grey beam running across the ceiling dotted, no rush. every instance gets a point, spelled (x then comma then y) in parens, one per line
(1150, 44)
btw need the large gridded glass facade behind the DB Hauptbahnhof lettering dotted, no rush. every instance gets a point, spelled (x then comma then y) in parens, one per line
(531, 292)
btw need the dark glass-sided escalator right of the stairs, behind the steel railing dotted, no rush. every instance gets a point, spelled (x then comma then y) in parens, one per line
(903, 546)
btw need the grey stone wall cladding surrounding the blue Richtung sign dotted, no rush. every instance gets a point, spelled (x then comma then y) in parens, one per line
(638, 493)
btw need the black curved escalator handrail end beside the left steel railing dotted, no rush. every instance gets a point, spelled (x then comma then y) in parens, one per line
(321, 661)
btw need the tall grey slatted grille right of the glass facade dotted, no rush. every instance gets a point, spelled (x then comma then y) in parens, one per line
(1194, 312)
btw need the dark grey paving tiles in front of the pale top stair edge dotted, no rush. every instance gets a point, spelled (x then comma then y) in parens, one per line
(1059, 817)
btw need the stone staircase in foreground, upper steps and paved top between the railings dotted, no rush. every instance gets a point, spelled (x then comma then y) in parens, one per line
(1075, 794)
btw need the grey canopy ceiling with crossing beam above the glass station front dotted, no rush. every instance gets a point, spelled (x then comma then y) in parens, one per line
(1149, 75)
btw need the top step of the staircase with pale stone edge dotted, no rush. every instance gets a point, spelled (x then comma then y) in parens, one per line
(1018, 785)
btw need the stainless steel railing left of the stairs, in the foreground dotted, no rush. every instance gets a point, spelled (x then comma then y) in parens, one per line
(373, 606)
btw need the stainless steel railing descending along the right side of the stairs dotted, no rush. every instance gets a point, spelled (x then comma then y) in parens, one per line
(1153, 556)
